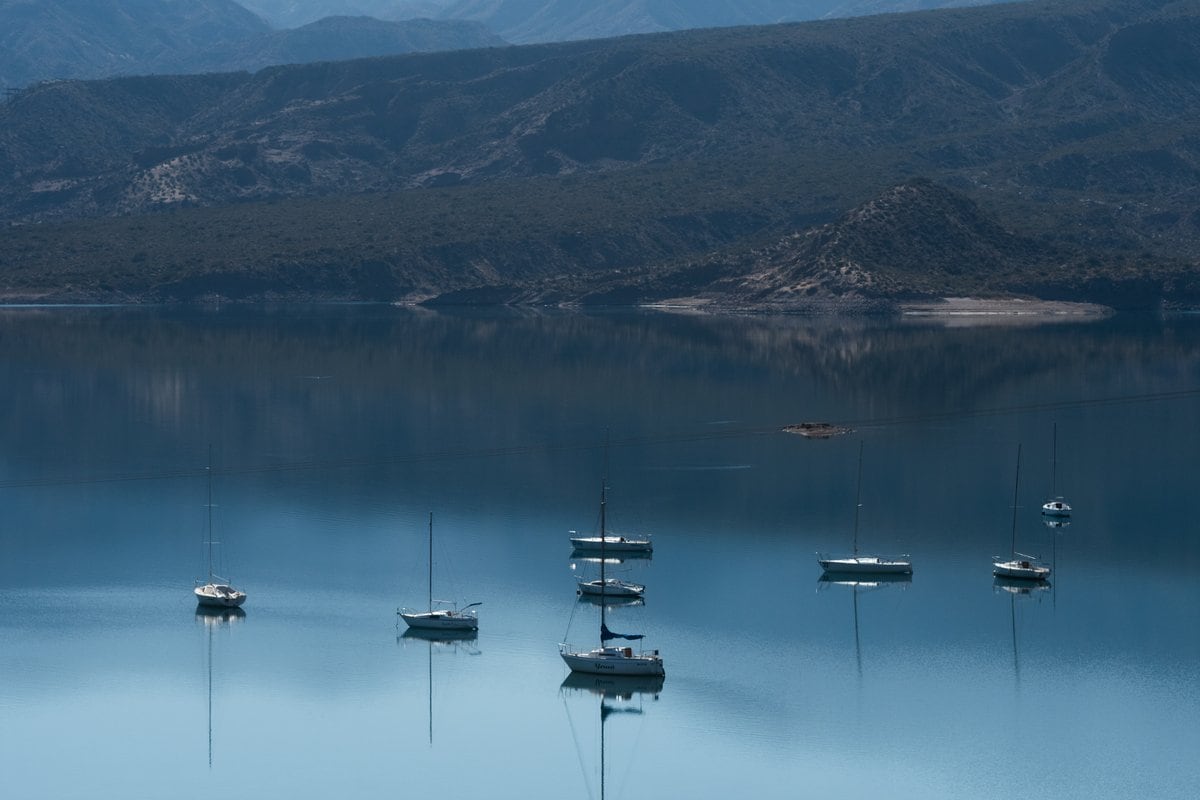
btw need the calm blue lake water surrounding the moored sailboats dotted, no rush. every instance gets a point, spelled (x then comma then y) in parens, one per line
(337, 431)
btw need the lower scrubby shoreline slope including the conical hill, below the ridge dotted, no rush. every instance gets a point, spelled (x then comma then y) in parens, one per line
(914, 242)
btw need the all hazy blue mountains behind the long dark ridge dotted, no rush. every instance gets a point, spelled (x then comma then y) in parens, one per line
(53, 40)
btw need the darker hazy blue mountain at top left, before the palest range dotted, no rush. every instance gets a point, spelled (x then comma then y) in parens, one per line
(99, 39)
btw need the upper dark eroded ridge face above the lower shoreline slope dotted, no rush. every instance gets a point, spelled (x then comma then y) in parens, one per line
(1046, 97)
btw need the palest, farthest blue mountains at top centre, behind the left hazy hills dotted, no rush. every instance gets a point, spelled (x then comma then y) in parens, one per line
(555, 21)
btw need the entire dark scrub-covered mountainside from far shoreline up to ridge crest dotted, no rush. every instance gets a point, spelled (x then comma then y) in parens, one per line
(1049, 148)
